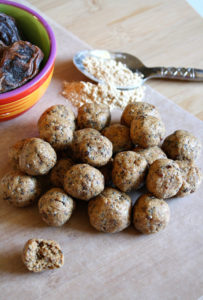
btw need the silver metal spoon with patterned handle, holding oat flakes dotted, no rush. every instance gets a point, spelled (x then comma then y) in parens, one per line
(135, 65)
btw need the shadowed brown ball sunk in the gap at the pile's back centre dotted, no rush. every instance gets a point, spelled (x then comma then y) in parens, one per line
(119, 135)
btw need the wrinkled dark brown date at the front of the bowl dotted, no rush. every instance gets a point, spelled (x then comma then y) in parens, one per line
(19, 63)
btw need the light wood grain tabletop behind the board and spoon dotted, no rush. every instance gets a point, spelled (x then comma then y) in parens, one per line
(160, 33)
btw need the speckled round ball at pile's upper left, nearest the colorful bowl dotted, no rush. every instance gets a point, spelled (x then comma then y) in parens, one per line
(56, 126)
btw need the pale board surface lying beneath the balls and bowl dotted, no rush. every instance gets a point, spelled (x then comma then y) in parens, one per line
(127, 265)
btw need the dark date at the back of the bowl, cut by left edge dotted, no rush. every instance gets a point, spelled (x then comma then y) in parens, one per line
(9, 33)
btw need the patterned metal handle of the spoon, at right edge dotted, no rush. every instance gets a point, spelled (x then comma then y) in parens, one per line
(190, 74)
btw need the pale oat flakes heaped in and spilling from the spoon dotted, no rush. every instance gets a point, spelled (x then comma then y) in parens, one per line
(114, 74)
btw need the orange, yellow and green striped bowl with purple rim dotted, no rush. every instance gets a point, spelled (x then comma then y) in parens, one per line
(37, 31)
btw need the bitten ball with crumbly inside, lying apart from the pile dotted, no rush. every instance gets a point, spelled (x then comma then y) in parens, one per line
(39, 255)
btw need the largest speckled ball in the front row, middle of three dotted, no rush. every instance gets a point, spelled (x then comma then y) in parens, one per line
(110, 211)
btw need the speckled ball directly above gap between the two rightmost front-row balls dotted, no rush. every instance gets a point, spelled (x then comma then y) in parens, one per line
(129, 171)
